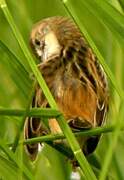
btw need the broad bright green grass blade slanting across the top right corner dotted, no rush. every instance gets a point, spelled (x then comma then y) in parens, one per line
(108, 15)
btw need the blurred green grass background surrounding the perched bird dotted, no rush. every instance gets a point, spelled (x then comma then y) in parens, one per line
(104, 23)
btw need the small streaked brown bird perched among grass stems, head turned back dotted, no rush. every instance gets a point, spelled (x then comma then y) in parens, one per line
(74, 77)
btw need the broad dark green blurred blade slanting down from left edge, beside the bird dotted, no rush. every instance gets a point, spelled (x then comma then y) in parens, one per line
(16, 70)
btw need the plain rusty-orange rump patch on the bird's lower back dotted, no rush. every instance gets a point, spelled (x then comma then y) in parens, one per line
(74, 99)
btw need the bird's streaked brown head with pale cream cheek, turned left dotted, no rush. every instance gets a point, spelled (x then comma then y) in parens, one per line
(51, 35)
